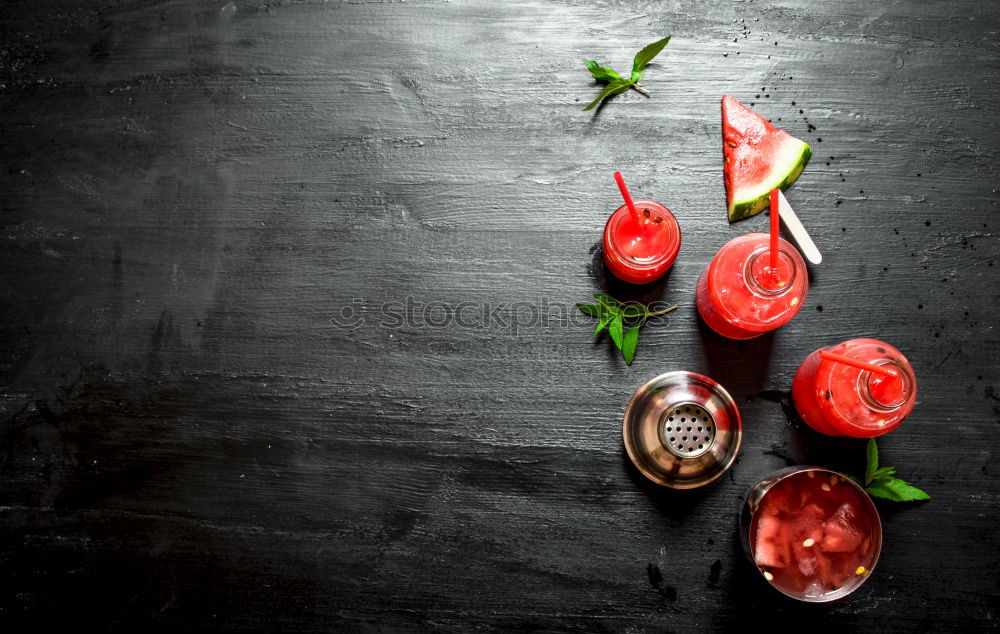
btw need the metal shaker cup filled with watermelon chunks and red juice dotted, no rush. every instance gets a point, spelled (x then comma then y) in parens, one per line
(813, 534)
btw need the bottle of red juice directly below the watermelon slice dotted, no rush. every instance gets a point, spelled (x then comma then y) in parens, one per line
(741, 296)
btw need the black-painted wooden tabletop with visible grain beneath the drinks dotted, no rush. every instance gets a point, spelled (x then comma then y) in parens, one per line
(195, 191)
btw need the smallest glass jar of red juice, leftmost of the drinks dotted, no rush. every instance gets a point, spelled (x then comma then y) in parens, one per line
(641, 252)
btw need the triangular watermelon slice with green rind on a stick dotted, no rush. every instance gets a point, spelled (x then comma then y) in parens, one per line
(758, 158)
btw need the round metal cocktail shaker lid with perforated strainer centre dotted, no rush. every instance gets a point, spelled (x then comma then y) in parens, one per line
(682, 430)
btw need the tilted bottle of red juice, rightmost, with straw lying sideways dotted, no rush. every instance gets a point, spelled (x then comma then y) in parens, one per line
(838, 399)
